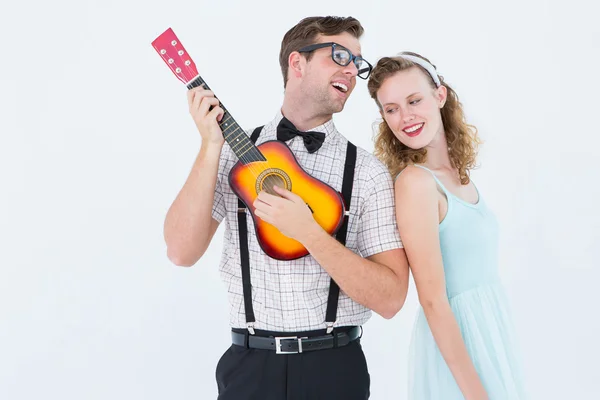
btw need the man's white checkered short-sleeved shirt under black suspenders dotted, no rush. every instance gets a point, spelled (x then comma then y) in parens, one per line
(292, 295)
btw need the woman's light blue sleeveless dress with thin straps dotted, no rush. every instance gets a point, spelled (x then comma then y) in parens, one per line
(469, 244)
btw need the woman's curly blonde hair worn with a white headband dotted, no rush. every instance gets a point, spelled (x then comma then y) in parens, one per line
(461, 137)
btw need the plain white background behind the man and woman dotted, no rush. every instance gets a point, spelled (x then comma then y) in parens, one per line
(96, 141)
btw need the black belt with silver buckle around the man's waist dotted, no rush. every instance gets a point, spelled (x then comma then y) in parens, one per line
(294, 344)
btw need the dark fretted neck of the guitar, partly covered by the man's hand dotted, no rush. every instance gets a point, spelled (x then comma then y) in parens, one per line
(234, 135)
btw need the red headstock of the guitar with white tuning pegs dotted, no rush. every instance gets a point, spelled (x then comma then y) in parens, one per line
(168, 46)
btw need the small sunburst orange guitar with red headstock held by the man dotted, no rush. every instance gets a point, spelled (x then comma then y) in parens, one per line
(260, 167)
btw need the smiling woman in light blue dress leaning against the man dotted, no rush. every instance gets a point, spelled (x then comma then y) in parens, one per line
(463, 345)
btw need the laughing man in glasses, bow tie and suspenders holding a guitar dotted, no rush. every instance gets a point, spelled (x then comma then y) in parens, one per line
(273, 300)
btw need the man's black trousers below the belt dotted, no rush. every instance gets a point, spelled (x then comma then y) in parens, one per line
(332, 374)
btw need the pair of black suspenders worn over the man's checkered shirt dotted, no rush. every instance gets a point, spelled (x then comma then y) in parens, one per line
(334, 290)
